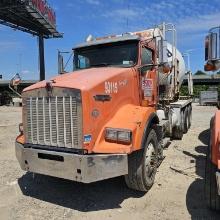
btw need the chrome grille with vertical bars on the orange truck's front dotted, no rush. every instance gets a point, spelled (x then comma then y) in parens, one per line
(54, 121)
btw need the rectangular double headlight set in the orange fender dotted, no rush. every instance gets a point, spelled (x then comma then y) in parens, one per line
(118, 135)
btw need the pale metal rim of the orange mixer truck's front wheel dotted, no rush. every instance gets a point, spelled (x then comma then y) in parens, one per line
(150, 159)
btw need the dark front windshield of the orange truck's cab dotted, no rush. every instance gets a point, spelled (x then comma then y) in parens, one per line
(123, 54)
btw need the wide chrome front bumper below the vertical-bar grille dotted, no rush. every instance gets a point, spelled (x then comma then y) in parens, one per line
(80, 168)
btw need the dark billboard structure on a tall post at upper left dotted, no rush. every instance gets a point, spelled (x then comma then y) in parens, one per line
(35, 17)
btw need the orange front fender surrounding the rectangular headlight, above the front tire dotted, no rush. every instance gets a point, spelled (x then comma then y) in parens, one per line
(129, 117)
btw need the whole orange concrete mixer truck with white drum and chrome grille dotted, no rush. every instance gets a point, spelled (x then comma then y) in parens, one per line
(110, 116)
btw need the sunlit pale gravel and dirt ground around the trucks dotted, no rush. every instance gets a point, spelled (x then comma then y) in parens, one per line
(174, 195)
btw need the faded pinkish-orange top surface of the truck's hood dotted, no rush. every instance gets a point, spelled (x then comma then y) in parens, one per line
(82, 79)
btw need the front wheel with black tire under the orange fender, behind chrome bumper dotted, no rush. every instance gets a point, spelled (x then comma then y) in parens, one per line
(142, 165)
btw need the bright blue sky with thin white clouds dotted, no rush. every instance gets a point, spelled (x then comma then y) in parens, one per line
(79, 18)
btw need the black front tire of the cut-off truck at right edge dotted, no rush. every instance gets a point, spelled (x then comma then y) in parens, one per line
(211, 192)
